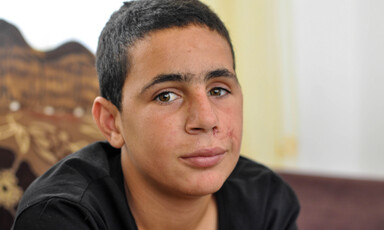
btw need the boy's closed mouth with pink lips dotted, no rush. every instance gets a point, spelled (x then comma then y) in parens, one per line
(204, 158)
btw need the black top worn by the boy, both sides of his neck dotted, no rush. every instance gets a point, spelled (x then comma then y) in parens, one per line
(86, 191)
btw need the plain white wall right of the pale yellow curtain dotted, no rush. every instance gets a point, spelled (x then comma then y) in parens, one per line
(339, 65)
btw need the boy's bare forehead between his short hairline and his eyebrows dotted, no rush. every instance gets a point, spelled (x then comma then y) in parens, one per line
(183, 54)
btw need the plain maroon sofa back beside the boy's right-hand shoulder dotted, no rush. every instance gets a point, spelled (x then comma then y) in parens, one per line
(335, 202)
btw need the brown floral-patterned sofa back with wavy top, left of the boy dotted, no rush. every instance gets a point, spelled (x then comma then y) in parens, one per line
(45, 104)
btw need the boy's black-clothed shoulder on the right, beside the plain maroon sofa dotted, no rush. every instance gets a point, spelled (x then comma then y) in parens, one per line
(254, 195)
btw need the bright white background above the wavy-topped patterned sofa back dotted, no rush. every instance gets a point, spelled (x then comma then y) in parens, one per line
(46, 24)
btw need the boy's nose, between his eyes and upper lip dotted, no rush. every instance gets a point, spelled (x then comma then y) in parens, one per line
(202, 115)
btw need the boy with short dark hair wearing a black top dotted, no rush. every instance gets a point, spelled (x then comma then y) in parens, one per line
(171, 111)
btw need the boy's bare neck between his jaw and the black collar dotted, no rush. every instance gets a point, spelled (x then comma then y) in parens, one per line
(156, 209)
